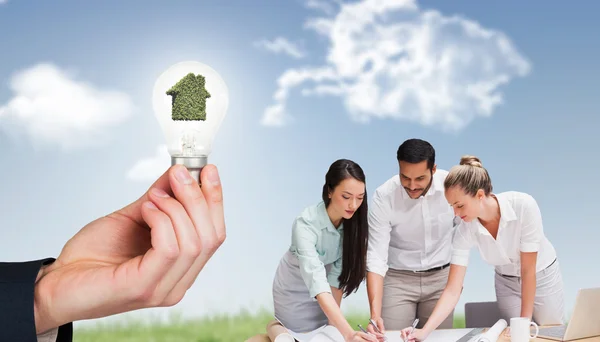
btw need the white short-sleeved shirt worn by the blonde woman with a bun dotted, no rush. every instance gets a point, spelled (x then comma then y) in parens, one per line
(520, 230)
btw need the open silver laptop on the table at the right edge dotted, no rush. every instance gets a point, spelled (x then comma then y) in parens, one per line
(585, 321)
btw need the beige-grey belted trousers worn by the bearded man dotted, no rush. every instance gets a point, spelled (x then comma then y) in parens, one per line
(408, 295)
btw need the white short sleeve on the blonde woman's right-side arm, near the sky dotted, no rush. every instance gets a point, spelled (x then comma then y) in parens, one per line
(531, 225)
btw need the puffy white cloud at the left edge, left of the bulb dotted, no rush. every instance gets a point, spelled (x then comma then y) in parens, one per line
(52, 108)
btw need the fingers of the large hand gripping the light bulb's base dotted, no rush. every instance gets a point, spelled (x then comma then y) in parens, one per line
(187, 227)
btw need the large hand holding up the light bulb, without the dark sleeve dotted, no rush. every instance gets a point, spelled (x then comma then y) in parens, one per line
(147, 254)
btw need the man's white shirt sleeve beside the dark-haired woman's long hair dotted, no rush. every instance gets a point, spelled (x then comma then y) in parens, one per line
(379, 235)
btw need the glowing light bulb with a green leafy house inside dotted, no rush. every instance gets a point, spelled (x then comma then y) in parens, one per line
(190, 100)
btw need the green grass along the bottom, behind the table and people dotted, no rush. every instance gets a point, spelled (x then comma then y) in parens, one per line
(215, 329)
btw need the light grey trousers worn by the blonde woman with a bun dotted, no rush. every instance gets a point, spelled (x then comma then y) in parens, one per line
(549, 301)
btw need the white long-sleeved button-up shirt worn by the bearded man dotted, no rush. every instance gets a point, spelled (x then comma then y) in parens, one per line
(409, 234)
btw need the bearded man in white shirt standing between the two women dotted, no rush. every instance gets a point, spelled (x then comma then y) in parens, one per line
(410, 241)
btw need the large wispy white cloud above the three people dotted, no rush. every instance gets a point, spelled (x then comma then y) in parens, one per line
(388, 59)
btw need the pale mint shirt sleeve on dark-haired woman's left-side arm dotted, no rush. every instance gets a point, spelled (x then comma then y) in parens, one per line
(304, 246)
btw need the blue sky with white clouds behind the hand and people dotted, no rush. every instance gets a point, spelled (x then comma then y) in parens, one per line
(513, 83)
